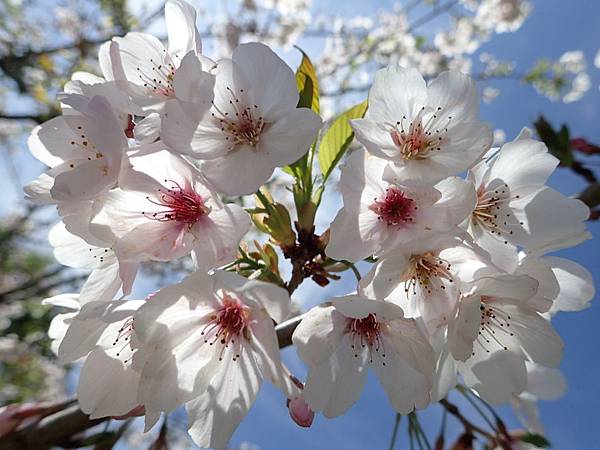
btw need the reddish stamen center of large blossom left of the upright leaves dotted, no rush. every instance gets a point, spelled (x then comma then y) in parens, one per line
(243, 124)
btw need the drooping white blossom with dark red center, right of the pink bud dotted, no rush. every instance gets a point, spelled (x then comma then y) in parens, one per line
(339, 341)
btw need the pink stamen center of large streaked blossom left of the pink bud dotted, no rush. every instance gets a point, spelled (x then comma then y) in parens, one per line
(228, 326)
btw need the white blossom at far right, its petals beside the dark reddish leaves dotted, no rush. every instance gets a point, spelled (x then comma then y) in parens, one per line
(515, 208)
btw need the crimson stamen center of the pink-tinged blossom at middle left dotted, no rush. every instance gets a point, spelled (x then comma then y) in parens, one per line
(181, 205)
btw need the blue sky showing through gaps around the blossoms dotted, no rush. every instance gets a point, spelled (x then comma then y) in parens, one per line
(555, 26)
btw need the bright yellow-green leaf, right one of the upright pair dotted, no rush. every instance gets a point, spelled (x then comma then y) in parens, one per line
(337, 138)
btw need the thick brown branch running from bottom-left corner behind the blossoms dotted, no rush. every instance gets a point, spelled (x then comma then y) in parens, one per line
(58, 427)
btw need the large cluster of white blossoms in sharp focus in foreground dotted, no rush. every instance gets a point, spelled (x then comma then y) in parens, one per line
(460, 285)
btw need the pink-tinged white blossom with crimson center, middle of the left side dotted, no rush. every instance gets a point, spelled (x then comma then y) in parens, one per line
(164, 209)
